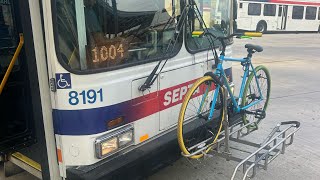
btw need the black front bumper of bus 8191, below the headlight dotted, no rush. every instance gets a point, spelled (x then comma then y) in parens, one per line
(138, 163)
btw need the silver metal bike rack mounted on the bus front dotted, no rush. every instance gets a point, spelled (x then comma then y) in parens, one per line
(259, 155)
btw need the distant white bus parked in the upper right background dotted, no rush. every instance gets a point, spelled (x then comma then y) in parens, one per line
(278, 15)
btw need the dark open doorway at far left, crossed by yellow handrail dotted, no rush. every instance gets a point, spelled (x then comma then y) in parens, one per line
(16, 127)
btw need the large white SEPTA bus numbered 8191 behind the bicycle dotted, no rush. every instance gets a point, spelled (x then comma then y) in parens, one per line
(72, 104)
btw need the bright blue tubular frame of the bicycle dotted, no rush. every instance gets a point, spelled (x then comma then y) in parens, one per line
(220, 72)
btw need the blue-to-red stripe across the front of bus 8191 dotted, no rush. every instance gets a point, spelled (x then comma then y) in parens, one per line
(94, 121)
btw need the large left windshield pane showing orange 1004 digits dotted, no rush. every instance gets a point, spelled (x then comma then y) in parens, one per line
(109, 34)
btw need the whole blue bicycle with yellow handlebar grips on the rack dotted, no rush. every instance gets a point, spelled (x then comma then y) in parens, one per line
(203, 104)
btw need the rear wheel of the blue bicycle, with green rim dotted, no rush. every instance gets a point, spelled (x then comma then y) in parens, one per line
(262, 73)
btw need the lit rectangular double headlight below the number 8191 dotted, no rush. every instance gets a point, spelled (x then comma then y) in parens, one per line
(115, 141)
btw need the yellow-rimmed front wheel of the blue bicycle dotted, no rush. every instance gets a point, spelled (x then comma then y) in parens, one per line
(201, 131)
